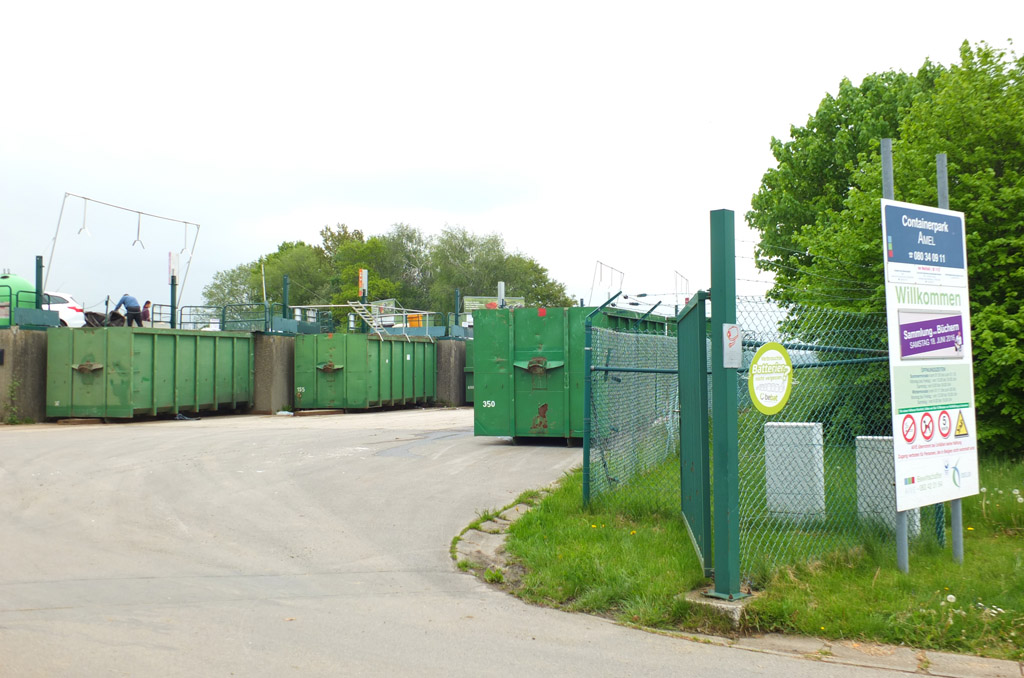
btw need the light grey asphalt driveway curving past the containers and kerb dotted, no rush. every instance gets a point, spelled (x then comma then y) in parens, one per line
(279, 546)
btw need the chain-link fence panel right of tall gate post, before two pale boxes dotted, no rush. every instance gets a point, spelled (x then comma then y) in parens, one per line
(817, 477)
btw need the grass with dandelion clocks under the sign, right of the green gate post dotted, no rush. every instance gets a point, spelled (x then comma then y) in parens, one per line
(975, 609)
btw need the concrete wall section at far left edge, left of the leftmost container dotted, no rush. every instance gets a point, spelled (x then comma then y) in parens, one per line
(23, 374)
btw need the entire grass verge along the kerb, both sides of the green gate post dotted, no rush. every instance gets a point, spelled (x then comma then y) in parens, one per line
(634, 562)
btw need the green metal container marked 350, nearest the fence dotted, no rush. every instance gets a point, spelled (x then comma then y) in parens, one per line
(529, 368)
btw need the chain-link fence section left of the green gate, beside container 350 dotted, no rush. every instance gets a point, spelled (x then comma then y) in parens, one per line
(634, 414)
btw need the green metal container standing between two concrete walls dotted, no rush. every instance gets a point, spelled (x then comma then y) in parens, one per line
(345, 371)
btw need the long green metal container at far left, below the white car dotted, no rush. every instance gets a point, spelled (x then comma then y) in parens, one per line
(118, 373)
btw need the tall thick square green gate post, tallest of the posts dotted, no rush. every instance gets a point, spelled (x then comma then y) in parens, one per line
(724, 409)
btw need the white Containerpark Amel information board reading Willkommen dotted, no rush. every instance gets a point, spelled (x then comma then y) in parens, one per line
(930, 364)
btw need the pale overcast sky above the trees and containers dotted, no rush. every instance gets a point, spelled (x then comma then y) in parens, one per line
(579, 132)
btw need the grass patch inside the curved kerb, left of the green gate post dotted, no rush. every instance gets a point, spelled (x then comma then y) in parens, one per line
(611, 560)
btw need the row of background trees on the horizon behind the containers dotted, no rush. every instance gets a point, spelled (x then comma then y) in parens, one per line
(421, 272)
